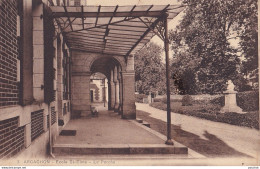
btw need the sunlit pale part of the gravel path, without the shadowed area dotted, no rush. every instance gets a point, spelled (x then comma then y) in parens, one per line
(241, 139)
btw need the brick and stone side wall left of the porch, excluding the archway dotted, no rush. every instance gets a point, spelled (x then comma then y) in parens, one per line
(34, 79)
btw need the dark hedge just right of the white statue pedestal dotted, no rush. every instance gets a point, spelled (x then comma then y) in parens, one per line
(248, 101)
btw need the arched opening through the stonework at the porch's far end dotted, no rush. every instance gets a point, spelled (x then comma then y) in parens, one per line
(108, 69)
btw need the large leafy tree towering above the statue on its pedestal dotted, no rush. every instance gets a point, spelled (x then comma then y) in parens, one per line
(202, 43)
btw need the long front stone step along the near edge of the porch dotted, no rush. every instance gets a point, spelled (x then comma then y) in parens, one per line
(63, 150)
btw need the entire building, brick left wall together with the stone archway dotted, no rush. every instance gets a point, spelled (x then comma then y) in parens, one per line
(43, 83)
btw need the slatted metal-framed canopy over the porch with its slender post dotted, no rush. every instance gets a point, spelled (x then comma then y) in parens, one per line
(116, 30)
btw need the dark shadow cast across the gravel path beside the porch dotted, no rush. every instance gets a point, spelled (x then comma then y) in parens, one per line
(213, 147)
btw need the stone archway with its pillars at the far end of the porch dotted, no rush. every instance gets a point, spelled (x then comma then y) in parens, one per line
(120, 75)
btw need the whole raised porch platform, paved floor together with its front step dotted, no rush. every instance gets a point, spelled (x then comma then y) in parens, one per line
(109, 134)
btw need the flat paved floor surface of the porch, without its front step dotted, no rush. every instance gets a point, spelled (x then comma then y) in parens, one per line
(107, 128)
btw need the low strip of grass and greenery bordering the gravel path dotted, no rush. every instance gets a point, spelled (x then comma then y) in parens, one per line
(209, 111)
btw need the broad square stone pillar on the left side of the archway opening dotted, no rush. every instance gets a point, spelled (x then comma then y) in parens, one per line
(81, 93)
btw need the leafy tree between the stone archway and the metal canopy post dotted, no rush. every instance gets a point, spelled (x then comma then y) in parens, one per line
(149, 69)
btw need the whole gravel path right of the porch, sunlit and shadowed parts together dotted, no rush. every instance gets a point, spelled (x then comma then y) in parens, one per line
(212, 139)
